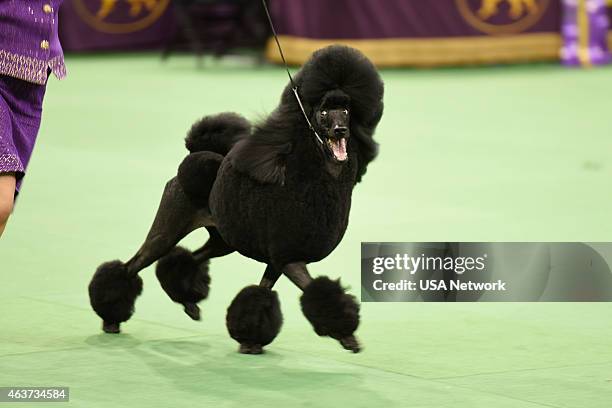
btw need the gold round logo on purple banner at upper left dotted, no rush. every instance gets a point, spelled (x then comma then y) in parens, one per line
(120, 16)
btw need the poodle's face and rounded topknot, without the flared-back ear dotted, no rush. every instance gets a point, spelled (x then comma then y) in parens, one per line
(342, 95)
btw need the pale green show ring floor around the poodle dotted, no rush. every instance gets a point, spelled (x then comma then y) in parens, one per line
(506, 154)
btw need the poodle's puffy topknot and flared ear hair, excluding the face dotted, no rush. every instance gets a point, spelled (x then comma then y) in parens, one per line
(336, 68)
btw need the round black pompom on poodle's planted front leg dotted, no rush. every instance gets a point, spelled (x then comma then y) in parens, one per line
(254, 318)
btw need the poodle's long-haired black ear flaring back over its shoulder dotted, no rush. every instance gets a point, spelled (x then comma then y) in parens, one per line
(262, 160)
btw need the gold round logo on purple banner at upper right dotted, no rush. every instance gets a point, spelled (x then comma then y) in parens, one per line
(499, 17)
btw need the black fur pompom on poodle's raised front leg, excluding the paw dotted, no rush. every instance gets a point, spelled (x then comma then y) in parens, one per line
(329, 309)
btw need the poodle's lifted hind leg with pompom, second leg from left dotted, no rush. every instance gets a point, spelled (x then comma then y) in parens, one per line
(184, 275)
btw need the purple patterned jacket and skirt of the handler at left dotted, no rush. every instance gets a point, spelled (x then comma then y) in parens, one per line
(29, 51)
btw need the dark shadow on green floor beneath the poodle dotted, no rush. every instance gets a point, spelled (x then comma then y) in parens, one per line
(295, 378)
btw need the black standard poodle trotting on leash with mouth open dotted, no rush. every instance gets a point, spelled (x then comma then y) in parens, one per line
(276, 192)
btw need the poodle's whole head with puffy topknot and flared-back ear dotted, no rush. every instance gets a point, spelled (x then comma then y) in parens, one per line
(342, 97)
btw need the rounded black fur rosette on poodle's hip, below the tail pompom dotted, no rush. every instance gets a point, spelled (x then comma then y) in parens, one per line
(197, 173)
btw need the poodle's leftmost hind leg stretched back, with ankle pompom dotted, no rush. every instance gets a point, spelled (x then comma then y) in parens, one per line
(116, 285)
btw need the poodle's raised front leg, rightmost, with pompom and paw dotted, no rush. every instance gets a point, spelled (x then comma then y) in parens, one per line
(331, 311)
